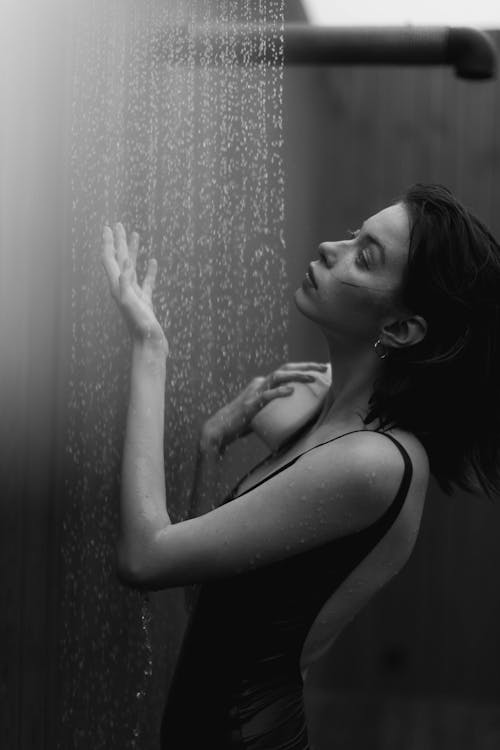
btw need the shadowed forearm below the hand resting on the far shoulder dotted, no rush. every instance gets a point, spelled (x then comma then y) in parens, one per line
(207, 473)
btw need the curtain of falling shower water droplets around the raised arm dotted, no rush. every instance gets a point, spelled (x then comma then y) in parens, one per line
(182, 144)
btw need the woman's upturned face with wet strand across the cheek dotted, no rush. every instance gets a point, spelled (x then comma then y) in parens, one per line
(355, 279)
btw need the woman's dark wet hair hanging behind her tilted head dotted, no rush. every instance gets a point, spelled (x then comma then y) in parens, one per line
(446, 388)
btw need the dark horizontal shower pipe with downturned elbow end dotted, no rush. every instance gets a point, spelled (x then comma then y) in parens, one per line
(470, 51)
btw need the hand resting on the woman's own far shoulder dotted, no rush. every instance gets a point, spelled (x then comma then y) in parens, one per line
(233, 420)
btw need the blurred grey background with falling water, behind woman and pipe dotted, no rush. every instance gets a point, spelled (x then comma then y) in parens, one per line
(232, 176)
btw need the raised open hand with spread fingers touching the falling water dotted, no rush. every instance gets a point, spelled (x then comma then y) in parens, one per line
(134, 302)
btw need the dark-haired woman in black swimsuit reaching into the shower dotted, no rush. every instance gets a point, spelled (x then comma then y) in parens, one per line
(408, 306)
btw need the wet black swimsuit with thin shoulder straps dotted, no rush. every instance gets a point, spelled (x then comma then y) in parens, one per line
(237, 683)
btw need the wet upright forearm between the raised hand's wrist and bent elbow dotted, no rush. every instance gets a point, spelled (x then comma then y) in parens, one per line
(143, 510)
